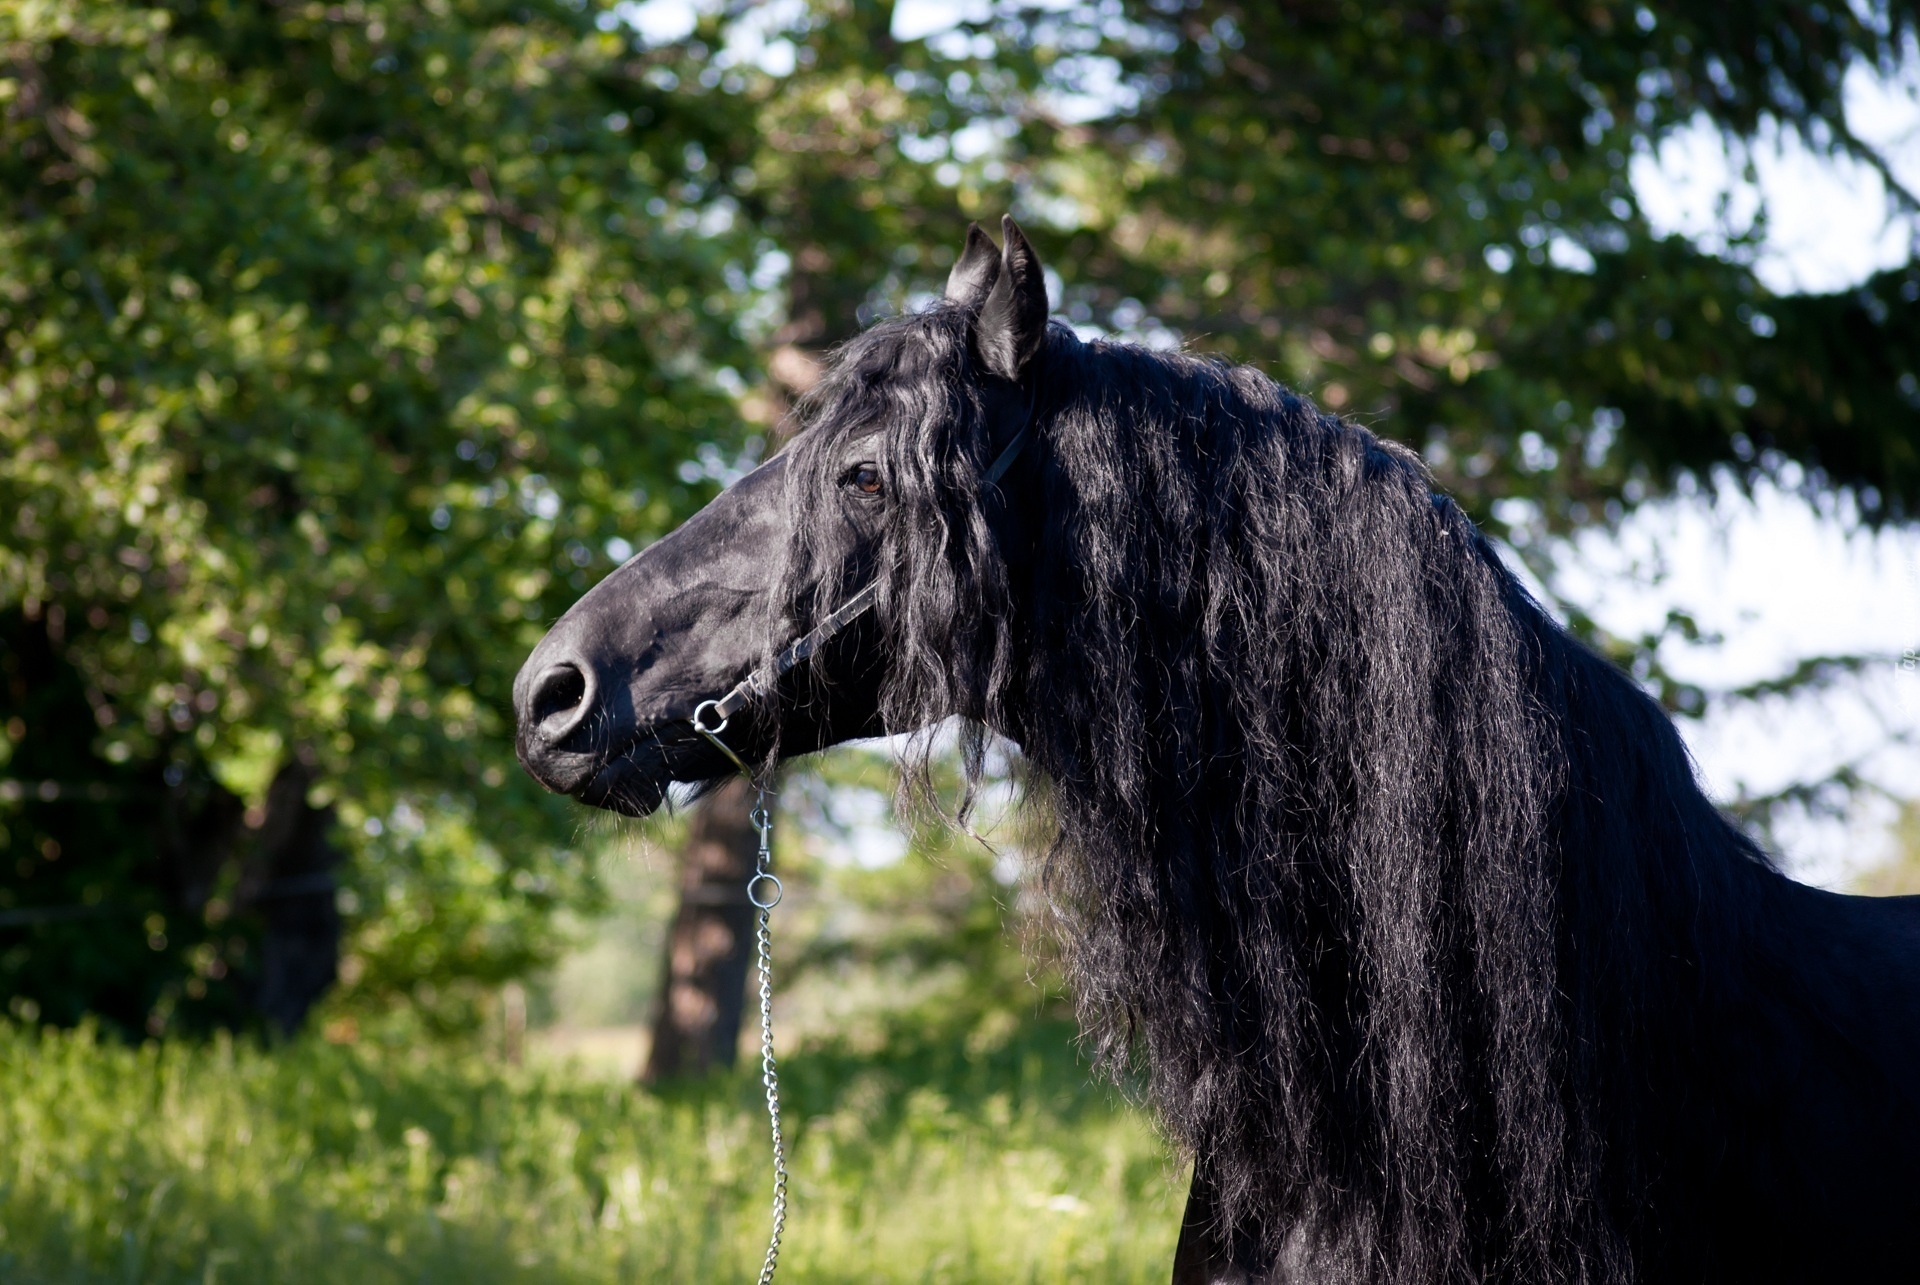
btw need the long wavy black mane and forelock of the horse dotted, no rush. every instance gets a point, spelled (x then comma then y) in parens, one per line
(1393, 892)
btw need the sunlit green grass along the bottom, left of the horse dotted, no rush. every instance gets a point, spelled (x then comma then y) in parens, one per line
(936, 1161)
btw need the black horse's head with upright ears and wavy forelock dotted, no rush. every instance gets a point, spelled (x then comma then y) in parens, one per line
(608, 700)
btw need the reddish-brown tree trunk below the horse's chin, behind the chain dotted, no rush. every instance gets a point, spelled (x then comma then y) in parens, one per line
(709, 950)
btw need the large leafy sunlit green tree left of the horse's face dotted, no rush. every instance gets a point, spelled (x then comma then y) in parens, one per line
(345, 343)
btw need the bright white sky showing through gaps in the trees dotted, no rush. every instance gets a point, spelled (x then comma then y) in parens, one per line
(1764, 573)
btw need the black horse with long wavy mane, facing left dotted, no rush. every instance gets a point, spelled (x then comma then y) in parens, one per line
(1410, 908)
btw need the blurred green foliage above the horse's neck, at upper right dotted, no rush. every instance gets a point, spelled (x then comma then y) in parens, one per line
(1420, 216)
